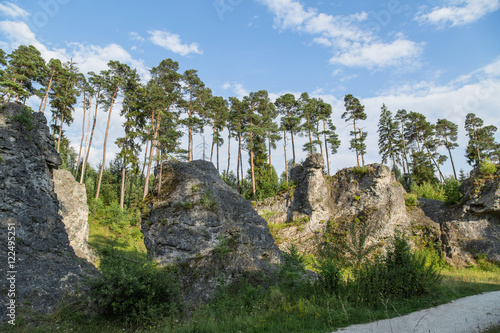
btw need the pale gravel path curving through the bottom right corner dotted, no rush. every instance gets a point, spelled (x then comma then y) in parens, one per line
(465, 315)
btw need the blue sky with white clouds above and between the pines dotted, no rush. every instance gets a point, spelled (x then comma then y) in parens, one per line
(437, 57)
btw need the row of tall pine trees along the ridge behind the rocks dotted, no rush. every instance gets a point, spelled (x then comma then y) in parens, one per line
(157, 113)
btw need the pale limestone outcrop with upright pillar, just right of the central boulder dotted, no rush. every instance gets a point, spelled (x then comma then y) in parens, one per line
(322, 205)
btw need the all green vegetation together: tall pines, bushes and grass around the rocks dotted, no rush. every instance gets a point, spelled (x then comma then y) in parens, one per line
(353, 284)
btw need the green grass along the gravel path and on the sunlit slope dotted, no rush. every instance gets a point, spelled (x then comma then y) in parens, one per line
(290, 307)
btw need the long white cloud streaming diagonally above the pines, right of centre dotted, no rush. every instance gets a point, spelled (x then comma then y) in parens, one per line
(352, 46)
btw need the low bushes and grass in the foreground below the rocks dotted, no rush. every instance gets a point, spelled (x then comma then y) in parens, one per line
(146, 297)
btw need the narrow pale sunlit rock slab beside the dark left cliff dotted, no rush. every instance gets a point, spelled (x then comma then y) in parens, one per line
(73, 208)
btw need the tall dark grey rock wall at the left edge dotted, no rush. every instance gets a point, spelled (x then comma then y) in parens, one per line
(46, 267)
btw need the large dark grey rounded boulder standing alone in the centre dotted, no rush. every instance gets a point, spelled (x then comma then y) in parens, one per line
(207, 229)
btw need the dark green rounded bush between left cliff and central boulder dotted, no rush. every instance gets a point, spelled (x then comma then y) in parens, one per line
(141, 294)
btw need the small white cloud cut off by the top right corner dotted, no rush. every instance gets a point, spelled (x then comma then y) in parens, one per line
(458, 12)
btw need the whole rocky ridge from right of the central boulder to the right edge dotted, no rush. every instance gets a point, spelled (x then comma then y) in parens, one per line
(371, 195)
